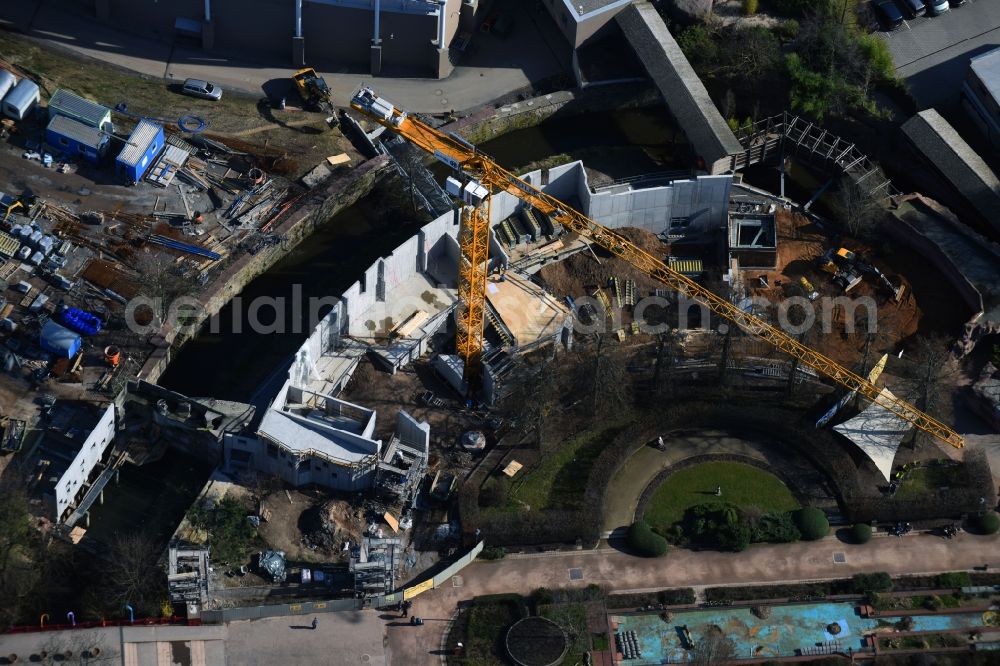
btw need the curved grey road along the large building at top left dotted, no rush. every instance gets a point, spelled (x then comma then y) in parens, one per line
(534, 51)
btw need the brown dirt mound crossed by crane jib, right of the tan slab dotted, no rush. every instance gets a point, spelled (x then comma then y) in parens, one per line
(581, 273)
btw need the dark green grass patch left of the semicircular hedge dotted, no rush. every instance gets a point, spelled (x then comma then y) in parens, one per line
(559, 479)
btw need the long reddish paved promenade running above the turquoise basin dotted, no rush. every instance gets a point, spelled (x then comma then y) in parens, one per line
(681, 568)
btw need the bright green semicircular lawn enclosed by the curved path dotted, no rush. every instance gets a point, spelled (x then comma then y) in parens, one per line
(743, 485)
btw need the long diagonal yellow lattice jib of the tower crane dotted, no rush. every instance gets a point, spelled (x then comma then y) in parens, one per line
(495, 178)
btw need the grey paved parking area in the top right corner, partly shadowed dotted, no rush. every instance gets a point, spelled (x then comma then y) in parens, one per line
(932, 53)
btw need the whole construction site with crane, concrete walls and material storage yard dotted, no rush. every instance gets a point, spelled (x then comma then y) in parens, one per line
(524, 372)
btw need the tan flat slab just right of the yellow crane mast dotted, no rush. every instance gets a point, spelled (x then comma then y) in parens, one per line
(528, 311)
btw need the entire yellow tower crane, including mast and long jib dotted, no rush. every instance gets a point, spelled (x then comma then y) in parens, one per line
(483, 177)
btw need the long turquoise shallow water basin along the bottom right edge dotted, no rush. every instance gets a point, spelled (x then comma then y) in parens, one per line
(789, 630)
